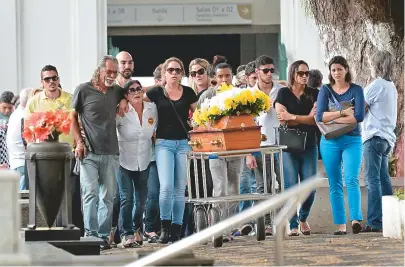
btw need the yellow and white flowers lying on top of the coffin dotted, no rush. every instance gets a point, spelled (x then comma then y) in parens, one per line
(231, 101)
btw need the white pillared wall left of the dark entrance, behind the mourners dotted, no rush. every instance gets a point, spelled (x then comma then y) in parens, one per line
(71, 35)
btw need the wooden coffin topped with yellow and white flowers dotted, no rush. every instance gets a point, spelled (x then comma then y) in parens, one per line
(219, 121)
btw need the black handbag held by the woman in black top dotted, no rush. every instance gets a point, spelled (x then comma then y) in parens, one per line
(294, 139)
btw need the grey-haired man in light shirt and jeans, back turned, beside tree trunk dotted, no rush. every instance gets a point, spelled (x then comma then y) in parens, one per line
(378, 136)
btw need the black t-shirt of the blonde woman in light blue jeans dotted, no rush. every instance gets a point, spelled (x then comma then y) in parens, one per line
(169, 126)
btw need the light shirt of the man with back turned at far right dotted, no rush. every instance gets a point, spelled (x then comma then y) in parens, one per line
(381, 97)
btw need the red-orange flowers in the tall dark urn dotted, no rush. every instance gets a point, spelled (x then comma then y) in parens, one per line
(41, 126)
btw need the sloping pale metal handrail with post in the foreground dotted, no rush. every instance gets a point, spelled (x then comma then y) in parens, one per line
(289, 199)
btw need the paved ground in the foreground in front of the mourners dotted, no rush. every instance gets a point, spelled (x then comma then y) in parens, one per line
(316, 250)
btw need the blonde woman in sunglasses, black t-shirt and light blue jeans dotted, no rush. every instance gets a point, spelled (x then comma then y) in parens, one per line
(173, 102)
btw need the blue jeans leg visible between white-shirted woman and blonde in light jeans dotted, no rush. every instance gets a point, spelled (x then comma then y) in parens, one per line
(152, 202)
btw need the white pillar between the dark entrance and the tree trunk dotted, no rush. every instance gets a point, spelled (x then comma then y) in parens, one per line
(300, 36)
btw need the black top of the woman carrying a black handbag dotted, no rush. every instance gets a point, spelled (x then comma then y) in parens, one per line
(300, 106)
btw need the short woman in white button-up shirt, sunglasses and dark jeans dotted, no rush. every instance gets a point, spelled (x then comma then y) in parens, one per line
(134, 132)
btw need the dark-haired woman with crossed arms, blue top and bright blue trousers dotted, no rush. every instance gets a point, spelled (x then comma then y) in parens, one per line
(342, 101)
